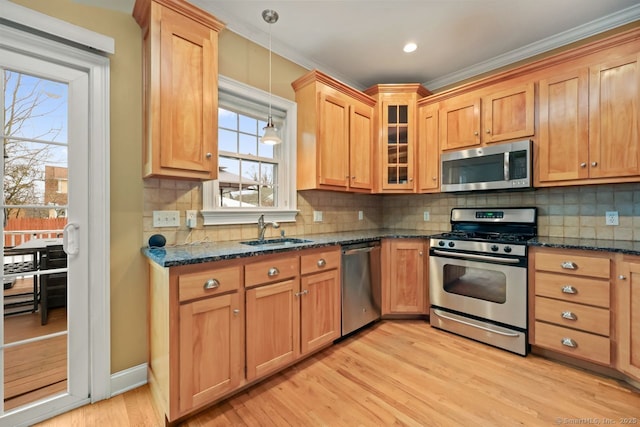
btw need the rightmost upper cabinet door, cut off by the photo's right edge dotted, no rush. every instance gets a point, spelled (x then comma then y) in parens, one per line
(614, 123)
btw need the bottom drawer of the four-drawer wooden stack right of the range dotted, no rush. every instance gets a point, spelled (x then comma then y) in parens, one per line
(585, 345)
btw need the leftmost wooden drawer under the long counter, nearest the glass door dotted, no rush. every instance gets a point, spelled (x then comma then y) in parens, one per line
(208, 282)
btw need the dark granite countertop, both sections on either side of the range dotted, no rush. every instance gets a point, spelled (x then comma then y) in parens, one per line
(196, 253)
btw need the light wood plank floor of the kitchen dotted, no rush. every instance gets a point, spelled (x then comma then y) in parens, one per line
(399, 373)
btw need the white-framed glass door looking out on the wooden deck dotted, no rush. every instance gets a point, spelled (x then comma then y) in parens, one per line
(44, 173)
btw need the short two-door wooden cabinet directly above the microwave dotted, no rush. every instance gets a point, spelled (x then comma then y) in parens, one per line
(487, 116)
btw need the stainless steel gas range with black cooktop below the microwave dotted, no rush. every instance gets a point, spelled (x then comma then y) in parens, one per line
(478, 275)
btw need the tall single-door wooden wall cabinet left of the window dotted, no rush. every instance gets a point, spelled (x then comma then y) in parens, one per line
(180, 68)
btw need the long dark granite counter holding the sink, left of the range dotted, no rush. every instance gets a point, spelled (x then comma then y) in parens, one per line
(172, 256)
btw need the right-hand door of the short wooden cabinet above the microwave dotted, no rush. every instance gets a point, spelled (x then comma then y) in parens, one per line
(508, 114)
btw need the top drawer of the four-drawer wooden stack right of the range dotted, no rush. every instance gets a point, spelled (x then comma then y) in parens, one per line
(573, 264)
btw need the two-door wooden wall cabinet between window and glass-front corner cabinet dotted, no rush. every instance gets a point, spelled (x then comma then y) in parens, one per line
(335, 135)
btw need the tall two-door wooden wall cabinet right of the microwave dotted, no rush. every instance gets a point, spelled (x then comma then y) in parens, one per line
(589, 126)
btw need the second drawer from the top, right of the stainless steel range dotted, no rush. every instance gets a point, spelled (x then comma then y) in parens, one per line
(574, 289)
